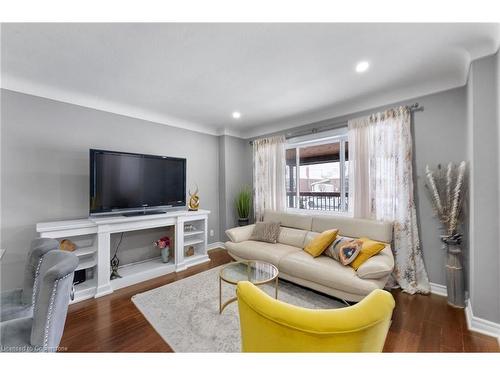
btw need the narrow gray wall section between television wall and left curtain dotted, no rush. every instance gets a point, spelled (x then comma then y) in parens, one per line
(235, 166)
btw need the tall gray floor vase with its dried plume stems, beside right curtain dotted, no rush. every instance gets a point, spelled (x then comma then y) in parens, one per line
(447, 189)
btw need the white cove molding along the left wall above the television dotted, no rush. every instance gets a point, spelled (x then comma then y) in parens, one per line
(23, 86)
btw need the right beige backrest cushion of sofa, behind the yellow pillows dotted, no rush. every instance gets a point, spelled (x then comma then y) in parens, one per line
(351, 227)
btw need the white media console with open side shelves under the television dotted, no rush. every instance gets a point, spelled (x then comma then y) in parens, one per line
(93, 239)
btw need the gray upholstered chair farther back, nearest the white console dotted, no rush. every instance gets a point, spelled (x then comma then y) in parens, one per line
(18, 303)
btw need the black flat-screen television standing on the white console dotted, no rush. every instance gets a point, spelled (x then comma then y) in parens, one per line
(135, 183)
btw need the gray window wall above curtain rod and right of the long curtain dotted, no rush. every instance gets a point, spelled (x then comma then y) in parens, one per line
(439, 135)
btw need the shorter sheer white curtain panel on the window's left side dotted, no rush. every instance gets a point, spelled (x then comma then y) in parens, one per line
(269, 175)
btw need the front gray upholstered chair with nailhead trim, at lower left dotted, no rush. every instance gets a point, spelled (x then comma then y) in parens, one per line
(43, 331)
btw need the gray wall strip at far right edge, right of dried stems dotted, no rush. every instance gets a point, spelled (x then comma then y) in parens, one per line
(483, 96)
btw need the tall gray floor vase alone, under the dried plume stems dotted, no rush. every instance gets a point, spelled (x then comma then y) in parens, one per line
(455, 277)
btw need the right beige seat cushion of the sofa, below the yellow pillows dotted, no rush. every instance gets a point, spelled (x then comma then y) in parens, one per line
(325, 271)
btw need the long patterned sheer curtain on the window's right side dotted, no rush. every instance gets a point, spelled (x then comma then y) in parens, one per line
(381, 188)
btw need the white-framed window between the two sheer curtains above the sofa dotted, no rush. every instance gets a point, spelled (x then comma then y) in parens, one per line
(317, 173)
